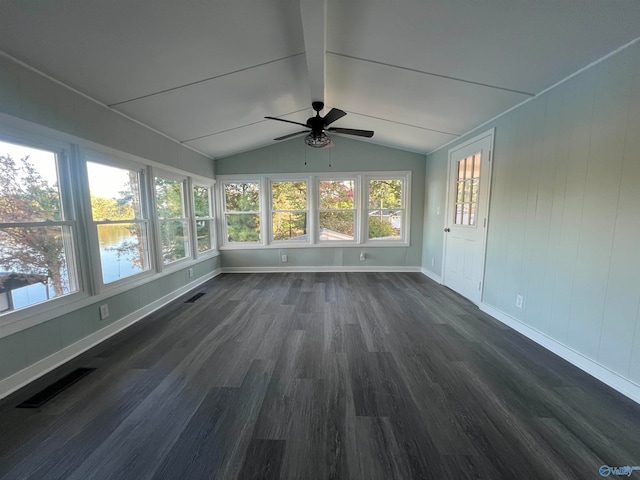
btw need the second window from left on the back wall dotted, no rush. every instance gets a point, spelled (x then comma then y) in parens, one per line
(289, 211)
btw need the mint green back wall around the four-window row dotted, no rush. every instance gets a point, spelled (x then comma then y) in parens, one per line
(345, 156)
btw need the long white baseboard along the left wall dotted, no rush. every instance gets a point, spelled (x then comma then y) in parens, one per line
(36, 370)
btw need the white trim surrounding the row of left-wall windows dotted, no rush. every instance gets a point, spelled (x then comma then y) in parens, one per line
(76, 200)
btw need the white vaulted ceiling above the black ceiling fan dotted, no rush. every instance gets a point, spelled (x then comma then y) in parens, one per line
(419, 73)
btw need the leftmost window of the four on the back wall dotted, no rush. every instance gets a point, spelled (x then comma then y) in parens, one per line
(242, 211)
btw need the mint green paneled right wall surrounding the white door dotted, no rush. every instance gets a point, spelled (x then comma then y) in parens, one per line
(564, 222)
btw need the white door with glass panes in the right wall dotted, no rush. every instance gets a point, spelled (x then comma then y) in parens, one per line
(466, 219)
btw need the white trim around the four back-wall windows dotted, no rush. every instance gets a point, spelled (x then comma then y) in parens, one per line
(360, 206)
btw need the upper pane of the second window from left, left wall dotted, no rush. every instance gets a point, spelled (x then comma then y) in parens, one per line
(115, 192)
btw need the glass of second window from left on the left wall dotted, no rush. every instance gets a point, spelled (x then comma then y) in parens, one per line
(121, 226)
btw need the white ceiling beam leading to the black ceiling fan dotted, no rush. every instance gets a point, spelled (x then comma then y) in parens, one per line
(314, 28)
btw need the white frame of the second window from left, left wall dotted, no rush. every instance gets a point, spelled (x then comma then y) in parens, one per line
(94, 156)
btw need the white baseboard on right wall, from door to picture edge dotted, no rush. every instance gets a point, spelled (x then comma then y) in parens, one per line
(602, 373)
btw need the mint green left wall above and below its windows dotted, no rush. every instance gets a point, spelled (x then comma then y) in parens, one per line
(29, 96)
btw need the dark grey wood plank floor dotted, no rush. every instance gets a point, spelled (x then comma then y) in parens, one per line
(325, 375)
